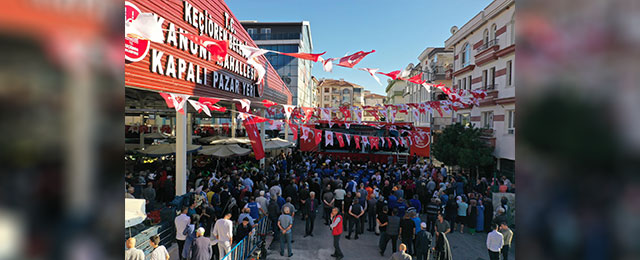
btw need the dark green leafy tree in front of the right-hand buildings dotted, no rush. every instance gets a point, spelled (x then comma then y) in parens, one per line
(462, 146)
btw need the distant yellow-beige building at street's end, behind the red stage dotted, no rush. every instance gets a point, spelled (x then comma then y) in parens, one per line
(338, 93)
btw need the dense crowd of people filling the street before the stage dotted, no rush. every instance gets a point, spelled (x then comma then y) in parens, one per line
(416, 204)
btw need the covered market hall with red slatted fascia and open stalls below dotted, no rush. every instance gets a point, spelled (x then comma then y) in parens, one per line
(180, 66)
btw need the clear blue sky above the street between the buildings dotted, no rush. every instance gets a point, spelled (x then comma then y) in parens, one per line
(398, 30)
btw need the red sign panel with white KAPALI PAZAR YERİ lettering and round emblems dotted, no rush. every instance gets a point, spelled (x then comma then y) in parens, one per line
(181, 59)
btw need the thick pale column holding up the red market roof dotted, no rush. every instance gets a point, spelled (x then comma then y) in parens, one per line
(181, 152)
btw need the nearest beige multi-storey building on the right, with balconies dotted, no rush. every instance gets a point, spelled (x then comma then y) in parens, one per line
(484, 55)
